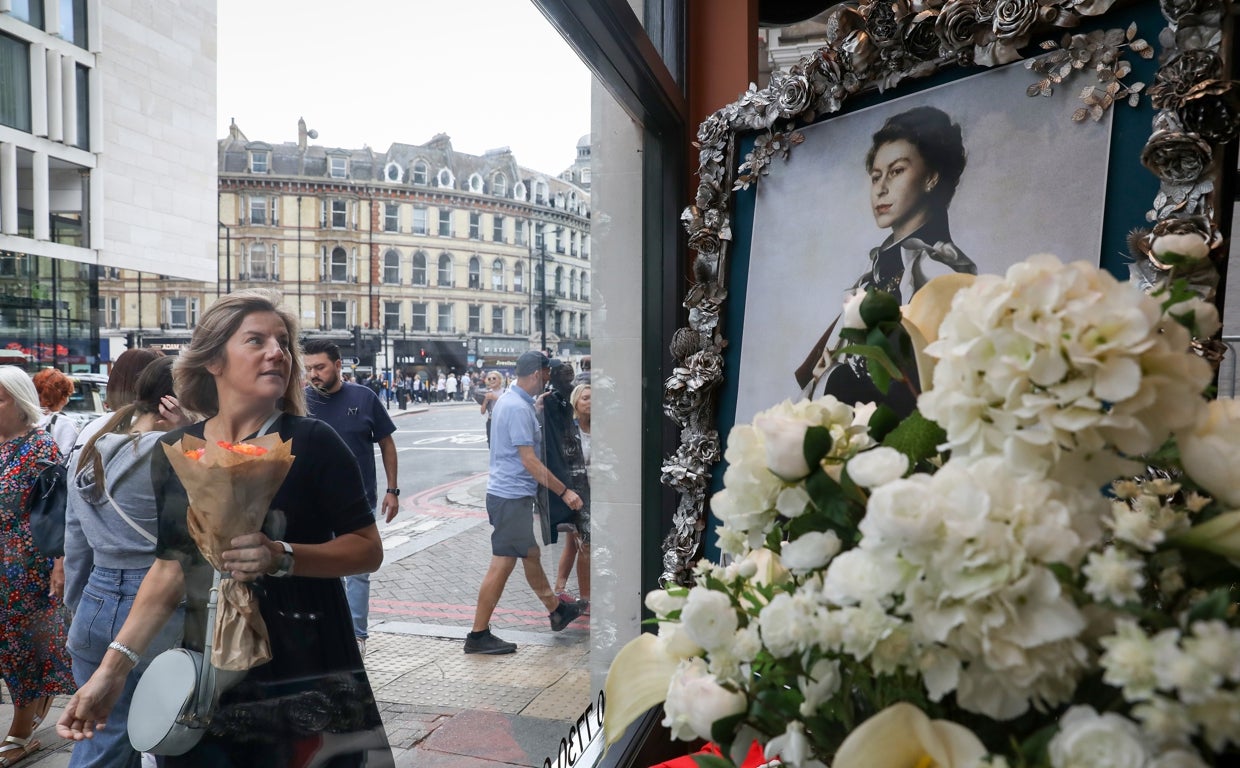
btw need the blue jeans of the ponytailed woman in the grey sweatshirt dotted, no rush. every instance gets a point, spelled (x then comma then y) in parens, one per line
(106, 604)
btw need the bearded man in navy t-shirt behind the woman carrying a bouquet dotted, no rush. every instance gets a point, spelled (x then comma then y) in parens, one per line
(358, 415)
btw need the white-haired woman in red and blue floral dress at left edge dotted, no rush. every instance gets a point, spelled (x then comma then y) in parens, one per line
(33, 658)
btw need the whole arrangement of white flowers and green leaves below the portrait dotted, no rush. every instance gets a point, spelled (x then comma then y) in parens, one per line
(1040, 566)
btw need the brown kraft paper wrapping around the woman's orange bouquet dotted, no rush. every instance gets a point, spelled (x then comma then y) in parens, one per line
(230, 496)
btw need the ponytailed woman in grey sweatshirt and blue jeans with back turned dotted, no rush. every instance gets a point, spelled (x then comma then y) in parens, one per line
(110, 545)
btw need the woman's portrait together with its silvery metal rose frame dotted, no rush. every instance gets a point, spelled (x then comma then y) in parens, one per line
(928, 138)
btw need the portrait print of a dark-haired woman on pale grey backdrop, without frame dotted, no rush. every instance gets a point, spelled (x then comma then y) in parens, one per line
(969, 177)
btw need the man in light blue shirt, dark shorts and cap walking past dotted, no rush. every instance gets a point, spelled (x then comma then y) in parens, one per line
(516, 475)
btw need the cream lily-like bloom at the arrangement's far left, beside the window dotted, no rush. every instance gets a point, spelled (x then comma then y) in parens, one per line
(638, 681)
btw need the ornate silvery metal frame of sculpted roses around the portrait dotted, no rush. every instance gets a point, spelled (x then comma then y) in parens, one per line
(875, 47)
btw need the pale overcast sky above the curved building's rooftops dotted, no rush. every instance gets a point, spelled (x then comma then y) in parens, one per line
(487, 73)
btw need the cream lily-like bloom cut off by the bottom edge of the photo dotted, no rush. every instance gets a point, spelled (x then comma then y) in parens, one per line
(902, 736)
